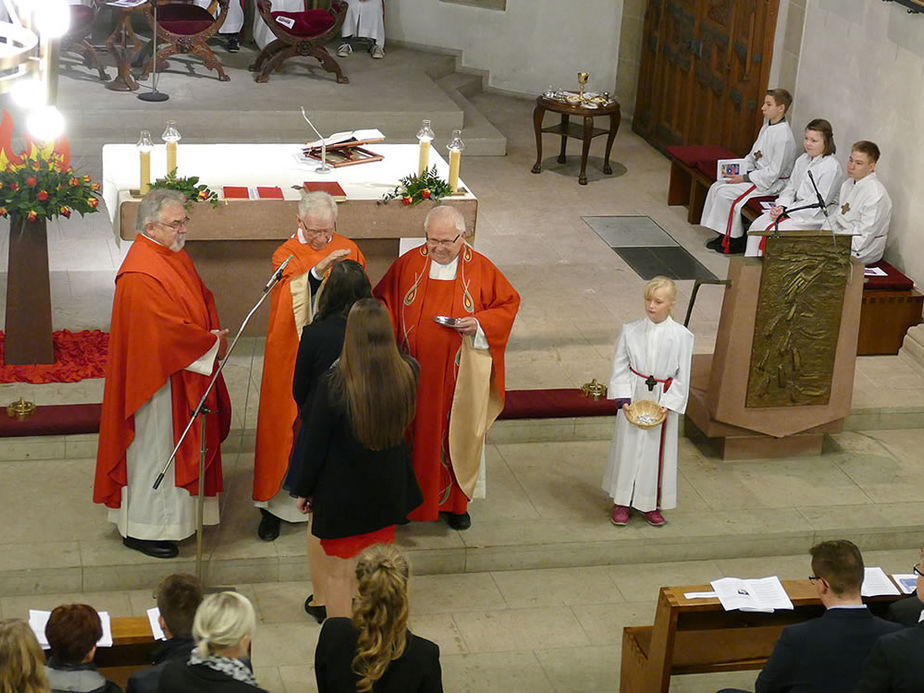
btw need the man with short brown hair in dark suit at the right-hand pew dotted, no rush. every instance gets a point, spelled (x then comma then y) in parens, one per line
(826, 654)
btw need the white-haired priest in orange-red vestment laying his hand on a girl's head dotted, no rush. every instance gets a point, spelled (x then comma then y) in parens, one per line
(314, 248)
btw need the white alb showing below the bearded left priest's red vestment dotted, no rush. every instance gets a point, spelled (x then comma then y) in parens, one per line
(168, 513)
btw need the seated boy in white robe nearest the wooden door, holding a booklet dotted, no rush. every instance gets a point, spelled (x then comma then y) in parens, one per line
(765, 172)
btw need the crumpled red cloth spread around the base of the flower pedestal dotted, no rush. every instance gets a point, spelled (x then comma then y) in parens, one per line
(79, 355)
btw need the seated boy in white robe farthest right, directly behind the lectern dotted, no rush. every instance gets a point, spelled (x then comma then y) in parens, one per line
(864, 208)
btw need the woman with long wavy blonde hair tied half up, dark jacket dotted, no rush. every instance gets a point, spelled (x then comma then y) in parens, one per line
(376, 651)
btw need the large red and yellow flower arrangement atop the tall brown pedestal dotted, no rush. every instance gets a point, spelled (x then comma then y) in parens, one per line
(38, 183)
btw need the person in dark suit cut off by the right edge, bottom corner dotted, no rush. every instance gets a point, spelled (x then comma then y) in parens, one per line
(896, 663)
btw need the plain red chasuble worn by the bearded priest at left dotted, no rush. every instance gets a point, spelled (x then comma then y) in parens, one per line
(161, 321)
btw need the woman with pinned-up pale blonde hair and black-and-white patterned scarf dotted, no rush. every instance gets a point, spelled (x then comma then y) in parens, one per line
(220, 663)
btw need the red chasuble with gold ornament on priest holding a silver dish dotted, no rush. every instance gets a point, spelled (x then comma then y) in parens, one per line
(413, 299)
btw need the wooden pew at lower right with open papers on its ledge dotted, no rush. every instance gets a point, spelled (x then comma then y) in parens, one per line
(696, 636)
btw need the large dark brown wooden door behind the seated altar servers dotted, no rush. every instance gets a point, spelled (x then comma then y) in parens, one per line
(704, 70)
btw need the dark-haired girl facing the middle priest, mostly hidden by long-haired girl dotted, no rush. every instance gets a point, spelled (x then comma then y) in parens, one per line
(318, 348)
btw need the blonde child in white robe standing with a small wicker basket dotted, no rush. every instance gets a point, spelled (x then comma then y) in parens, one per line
(651, 362)
